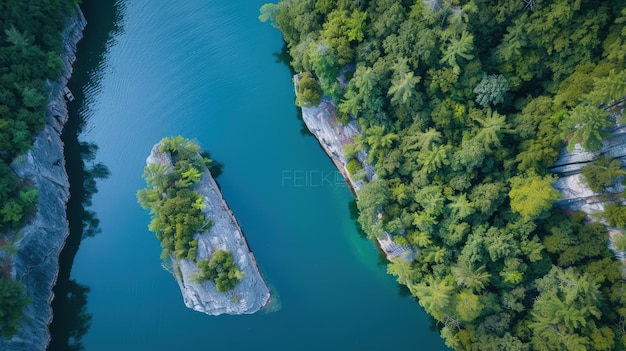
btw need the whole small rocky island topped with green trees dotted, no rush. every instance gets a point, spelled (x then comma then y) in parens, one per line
(203, 246)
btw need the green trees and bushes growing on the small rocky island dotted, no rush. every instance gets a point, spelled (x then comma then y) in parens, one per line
(176, 210)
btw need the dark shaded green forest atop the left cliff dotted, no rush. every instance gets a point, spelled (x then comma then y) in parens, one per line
(30, 47)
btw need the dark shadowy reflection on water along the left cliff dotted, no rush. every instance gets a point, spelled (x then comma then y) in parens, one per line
(71, 320)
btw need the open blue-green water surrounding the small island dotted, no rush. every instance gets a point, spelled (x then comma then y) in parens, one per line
(209, 70)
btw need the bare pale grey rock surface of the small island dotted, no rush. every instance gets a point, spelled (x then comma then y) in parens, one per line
(251, 293)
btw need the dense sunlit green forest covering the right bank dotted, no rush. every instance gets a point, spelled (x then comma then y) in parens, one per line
(463, 106)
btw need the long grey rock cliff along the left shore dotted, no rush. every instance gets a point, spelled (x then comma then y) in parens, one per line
(36, 261)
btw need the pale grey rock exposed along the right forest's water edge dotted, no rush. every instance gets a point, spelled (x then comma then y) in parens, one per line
(322, 122)
